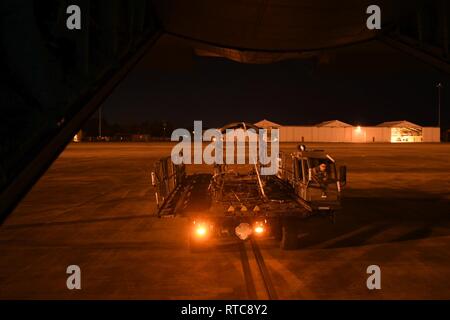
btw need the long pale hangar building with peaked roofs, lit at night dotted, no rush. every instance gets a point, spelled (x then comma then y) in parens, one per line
(338, 131)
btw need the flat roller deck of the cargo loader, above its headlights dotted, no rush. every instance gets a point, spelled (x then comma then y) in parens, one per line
(194, 198)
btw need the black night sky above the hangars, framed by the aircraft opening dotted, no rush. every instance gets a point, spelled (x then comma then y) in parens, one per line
(363, 84)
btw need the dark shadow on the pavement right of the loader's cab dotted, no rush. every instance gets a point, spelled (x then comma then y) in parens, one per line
(376, 220)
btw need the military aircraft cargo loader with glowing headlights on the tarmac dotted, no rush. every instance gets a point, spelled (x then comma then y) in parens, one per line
(236, 202)
